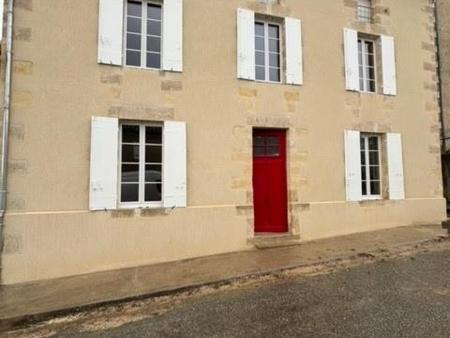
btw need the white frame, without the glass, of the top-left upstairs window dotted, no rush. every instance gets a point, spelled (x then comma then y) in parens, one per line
(143, 34)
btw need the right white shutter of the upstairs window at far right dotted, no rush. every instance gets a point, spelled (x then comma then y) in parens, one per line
(388, 65)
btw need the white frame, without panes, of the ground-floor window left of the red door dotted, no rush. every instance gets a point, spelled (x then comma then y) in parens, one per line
(141, 203)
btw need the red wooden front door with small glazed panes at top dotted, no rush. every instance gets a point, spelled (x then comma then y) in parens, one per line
(270, 180)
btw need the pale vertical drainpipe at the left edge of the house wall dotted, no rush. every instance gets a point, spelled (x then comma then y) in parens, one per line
(6, 112)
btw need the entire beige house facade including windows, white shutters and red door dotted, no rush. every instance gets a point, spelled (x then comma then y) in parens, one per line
(152, 131)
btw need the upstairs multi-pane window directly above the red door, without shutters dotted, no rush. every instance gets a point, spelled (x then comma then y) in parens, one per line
(267, 52)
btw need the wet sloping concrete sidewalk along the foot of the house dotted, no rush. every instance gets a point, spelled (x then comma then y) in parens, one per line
(40, 300)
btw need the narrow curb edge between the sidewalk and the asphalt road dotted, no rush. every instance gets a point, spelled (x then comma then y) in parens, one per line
(9, 324)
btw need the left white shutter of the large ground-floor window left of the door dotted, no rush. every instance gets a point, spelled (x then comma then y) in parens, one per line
(104, 158)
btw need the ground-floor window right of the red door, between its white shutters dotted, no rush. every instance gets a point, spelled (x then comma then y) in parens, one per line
(370, 166)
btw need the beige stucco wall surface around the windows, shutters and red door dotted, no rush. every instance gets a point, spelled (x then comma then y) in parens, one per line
(58, 86)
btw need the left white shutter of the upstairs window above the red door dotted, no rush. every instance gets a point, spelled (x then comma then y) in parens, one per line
(246, 44)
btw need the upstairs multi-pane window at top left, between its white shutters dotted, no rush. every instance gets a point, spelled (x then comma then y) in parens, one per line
(143, 34)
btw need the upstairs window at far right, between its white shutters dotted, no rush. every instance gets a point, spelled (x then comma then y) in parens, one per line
(366, 55)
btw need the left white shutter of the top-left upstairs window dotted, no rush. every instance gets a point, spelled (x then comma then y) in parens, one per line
(110, 32)
